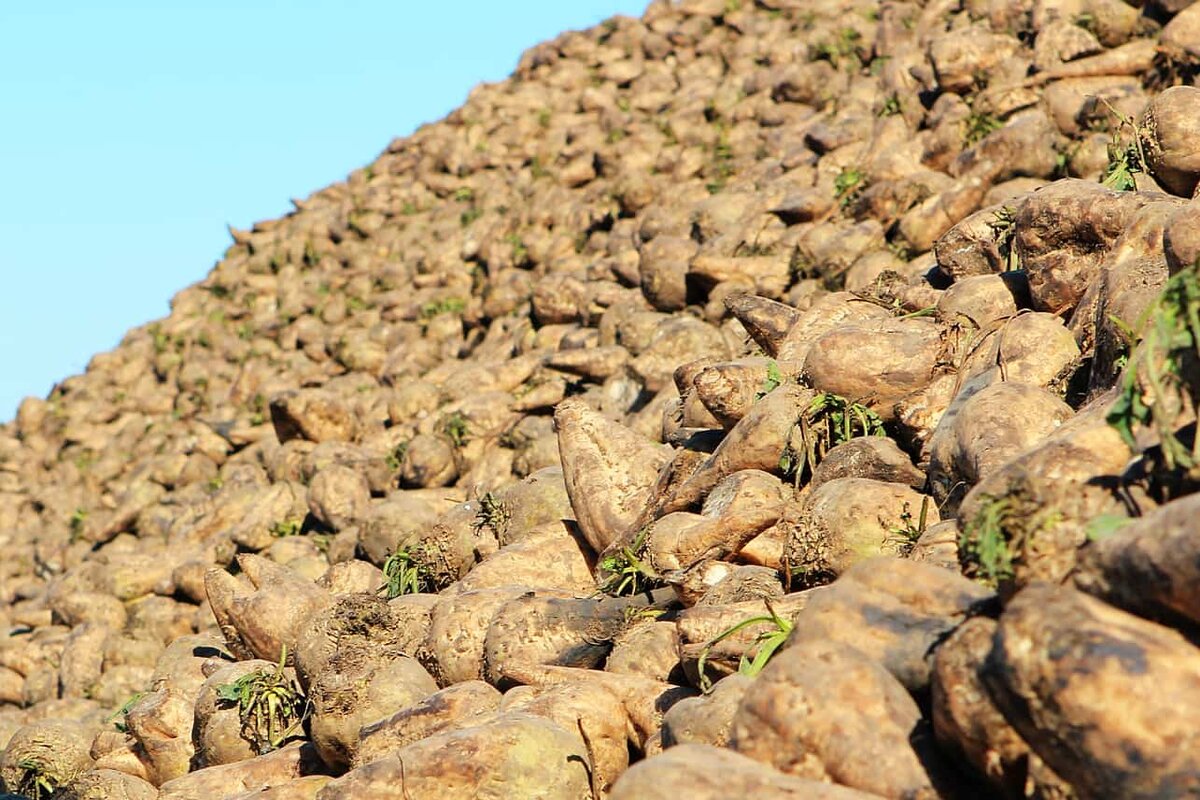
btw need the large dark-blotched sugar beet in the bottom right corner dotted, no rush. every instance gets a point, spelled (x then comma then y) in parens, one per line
(1064, 670)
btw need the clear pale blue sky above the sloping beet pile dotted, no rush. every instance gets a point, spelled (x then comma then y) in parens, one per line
(133, 133)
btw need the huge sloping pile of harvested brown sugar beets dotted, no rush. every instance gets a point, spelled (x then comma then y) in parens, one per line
(790, 399)
